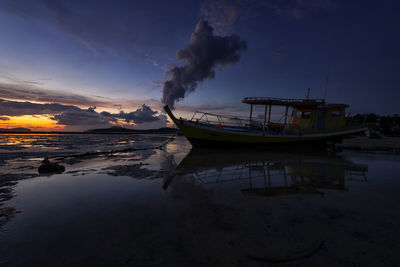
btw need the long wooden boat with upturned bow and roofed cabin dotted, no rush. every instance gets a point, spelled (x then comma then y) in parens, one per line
(311, 122)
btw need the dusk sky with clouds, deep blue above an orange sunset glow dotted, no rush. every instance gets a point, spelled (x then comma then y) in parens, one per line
(76, 65)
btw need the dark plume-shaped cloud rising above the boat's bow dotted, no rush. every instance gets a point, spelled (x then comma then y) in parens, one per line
(203, 54)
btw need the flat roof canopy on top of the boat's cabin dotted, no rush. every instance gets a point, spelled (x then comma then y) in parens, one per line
(292, 102)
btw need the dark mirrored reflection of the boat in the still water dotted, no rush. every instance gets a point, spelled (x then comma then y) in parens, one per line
(270, 174)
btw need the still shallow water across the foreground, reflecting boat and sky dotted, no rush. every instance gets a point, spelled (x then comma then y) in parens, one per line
(178, 206)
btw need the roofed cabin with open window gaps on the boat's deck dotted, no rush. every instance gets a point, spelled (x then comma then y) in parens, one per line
(307, 115)
